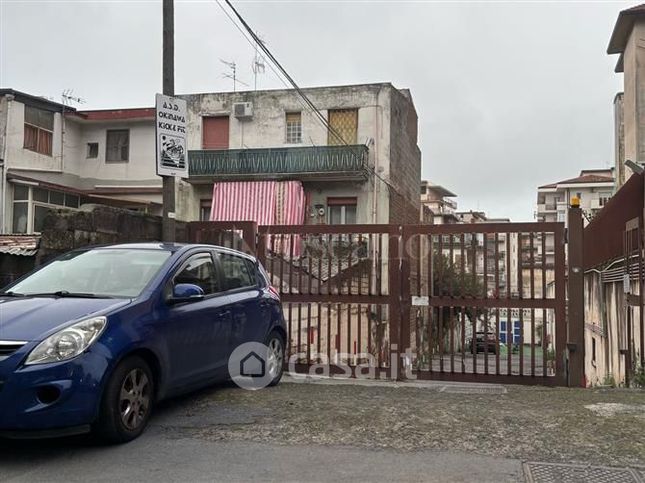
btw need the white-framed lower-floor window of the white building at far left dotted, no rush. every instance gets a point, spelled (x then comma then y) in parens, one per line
(30, 205)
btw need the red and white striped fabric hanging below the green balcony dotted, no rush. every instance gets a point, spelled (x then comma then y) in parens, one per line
(244, 201)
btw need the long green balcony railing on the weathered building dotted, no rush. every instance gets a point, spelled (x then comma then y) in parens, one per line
(303, 163)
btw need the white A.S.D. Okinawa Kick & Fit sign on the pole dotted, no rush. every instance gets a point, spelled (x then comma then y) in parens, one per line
(170, 131)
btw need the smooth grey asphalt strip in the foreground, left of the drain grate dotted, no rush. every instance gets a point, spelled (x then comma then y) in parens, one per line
(157, 458)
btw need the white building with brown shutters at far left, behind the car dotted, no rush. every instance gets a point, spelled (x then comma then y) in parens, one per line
(54, 156)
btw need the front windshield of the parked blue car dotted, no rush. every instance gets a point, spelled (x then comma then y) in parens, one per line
(114, 272)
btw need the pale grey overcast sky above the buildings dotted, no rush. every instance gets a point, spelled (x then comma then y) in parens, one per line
(509, 95)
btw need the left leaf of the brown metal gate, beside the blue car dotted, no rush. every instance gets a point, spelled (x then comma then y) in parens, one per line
(340, 293)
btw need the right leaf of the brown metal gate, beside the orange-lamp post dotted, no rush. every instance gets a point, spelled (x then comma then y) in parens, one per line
(486, 302)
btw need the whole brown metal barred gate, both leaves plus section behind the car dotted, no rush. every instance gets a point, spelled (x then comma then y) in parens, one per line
(413, 301)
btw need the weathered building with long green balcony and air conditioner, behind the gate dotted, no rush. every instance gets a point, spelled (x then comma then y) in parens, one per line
(364, 168)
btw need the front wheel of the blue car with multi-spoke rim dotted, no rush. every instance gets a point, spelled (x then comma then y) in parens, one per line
(127, 402)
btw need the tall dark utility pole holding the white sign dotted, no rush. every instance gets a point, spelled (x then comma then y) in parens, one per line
(168, 191)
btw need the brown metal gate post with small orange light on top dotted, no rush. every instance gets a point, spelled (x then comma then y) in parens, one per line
(576, 312)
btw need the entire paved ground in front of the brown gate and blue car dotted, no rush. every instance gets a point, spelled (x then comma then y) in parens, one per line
(358, 430)
